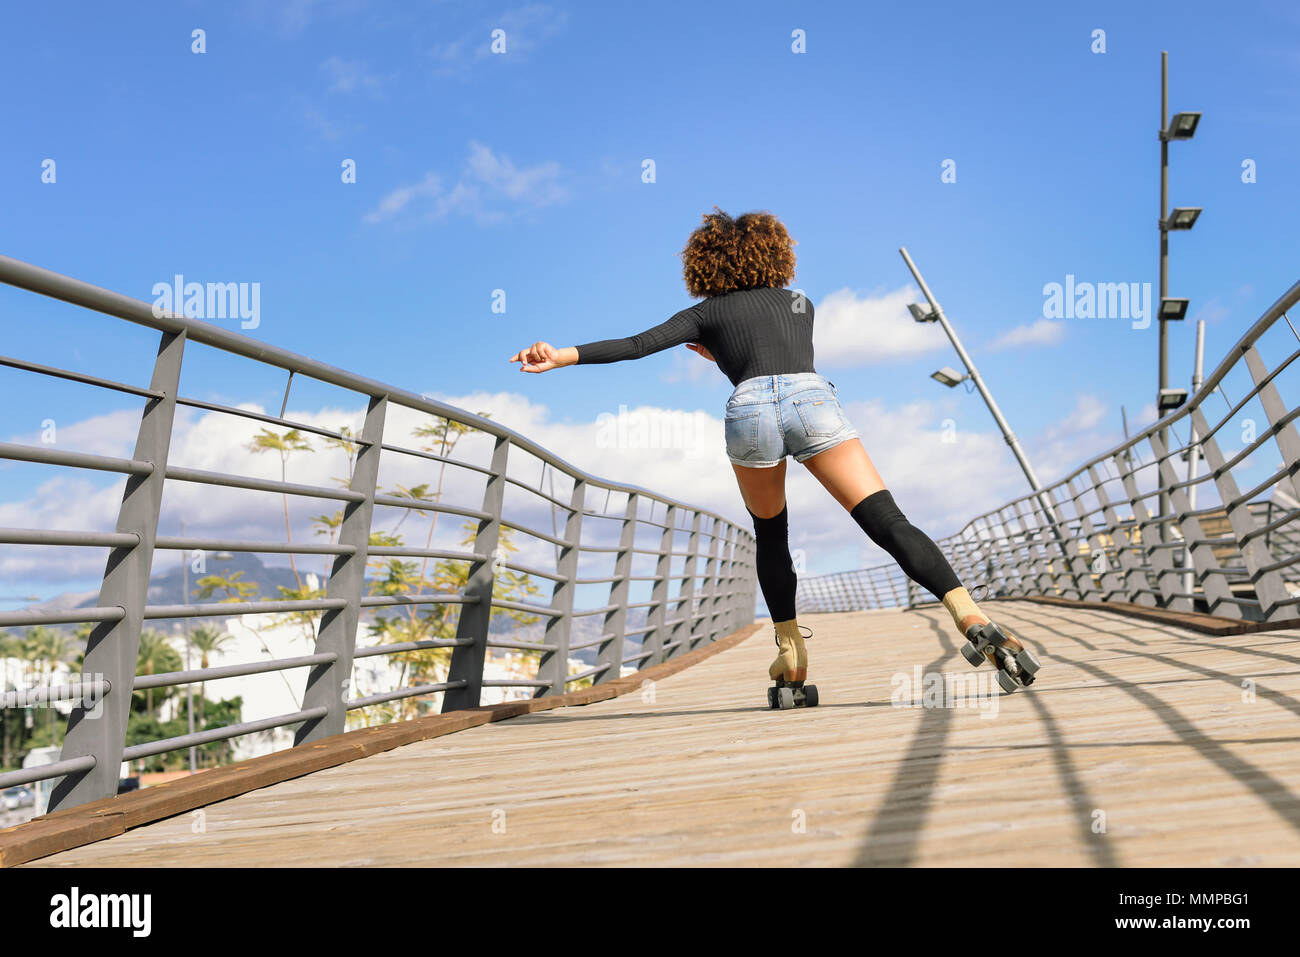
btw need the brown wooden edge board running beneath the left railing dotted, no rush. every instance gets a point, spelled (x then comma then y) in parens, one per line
(110, 817)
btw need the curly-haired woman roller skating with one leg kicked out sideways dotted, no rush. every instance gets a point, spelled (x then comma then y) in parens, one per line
(761, 336)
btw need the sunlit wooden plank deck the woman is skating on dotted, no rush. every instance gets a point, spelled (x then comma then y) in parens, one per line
(1141, 744)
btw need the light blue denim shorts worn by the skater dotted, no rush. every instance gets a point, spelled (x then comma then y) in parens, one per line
(773, 417)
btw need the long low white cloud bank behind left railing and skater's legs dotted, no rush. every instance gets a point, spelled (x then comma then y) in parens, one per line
(943, 460)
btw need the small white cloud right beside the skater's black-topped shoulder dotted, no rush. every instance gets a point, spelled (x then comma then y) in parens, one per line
(848, 331)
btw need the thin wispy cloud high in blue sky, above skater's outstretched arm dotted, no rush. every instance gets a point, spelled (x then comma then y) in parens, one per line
(487, 181)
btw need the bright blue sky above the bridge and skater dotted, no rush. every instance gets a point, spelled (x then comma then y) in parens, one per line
(523, 172)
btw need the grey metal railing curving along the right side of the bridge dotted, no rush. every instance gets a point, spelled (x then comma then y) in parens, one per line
(1229, 544)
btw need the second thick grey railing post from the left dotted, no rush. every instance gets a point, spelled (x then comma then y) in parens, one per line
(330, 685)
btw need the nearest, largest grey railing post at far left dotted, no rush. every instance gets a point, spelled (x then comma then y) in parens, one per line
(114, 647)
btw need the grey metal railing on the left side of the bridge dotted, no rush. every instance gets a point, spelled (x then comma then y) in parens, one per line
(703, 583)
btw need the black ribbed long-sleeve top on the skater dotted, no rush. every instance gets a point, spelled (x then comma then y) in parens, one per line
(751, 332)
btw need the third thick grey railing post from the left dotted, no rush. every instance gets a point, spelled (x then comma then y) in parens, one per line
(469, 660)
